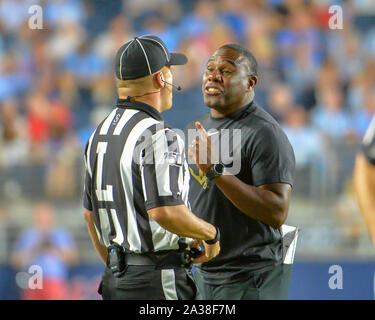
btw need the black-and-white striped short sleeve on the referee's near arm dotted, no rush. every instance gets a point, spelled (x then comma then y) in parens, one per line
(162, 170)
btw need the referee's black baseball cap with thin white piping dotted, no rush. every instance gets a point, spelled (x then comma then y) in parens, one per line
(142, 56)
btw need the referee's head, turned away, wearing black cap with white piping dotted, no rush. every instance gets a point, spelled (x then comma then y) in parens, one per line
(143, 71)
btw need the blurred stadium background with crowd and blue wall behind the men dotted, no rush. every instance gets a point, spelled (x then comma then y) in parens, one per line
(58, 82)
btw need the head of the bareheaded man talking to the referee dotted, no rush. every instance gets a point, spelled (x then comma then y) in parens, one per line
(229, 79)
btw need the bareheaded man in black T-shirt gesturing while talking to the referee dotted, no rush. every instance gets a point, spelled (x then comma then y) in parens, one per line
(248, 206)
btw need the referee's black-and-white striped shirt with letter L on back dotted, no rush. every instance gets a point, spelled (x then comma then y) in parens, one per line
(134, 163)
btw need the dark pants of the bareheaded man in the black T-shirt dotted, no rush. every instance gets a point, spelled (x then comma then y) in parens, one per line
(263, 285)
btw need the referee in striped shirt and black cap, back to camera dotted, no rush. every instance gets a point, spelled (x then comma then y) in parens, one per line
(137, 184)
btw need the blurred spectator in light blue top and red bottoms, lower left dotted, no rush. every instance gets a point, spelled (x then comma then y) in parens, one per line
(50, 248)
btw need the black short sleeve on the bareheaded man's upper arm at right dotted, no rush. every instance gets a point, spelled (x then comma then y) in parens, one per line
(271, 157)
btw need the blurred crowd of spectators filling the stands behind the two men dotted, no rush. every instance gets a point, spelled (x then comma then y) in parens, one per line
(57, 83)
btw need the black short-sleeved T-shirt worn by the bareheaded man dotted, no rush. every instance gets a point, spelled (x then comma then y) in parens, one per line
(265, 157)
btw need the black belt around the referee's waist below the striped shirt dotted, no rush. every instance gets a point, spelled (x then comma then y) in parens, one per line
(172, 259)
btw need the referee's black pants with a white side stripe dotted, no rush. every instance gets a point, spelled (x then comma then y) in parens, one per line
(149, 283)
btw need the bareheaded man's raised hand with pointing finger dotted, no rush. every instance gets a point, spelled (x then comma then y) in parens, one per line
(202, 150)
